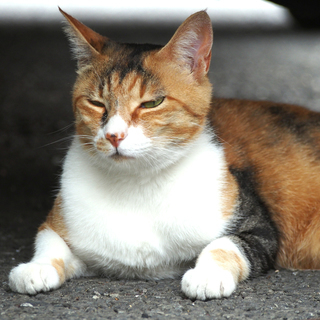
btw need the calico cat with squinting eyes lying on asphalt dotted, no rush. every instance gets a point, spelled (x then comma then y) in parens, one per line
(162, 181)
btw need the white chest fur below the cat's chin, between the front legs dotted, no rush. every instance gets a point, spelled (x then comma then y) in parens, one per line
(147, 225)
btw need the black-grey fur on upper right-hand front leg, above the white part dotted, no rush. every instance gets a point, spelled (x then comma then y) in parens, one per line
(254, 231)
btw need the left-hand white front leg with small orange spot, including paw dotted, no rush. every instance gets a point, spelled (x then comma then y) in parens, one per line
(52, 264)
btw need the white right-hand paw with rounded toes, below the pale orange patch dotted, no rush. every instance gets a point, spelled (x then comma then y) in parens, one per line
(203, 284)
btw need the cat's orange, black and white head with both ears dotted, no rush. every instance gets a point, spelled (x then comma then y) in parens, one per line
(143, 105)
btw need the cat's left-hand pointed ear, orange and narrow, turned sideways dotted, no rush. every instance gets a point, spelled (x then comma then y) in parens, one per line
(85, 43)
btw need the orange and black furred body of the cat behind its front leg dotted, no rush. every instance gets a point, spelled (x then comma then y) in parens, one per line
(279, 146)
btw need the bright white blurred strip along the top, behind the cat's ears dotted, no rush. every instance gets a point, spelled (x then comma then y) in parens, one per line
(254, 11)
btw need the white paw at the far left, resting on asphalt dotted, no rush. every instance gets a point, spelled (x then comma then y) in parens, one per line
(32, 278)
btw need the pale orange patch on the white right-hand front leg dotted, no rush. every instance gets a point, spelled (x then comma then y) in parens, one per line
(231, 261)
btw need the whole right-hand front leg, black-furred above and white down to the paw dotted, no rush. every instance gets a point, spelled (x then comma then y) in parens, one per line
(248, 251)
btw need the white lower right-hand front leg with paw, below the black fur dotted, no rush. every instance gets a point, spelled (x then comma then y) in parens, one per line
(219, 268)
